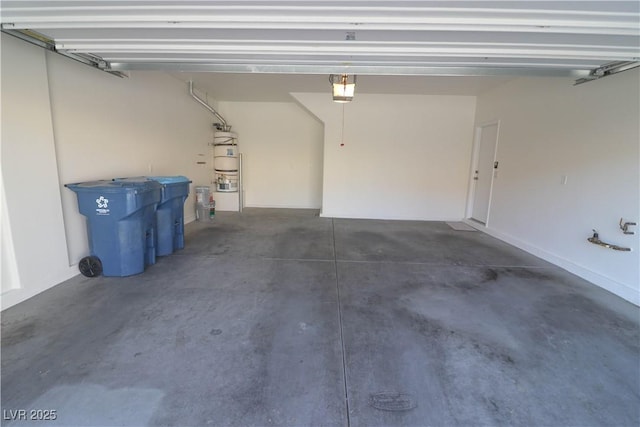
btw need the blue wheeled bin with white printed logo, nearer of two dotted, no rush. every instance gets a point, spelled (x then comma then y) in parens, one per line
(121, 225)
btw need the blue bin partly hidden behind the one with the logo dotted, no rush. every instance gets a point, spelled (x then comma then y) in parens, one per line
(170, 213)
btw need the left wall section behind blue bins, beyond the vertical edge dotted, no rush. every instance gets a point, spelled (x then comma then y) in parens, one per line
(107, 127)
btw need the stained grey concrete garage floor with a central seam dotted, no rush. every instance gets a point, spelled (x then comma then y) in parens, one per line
(284, 318)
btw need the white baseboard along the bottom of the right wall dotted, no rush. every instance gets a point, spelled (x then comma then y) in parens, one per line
(620, 289)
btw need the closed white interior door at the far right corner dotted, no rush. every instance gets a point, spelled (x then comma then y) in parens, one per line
(483, 172)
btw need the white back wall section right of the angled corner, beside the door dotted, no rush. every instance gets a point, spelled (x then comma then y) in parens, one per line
(404, 156)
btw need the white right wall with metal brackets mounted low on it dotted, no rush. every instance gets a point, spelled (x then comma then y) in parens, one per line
(550, 128)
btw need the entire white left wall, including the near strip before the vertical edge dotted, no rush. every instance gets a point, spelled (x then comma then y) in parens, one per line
(64, 122)
